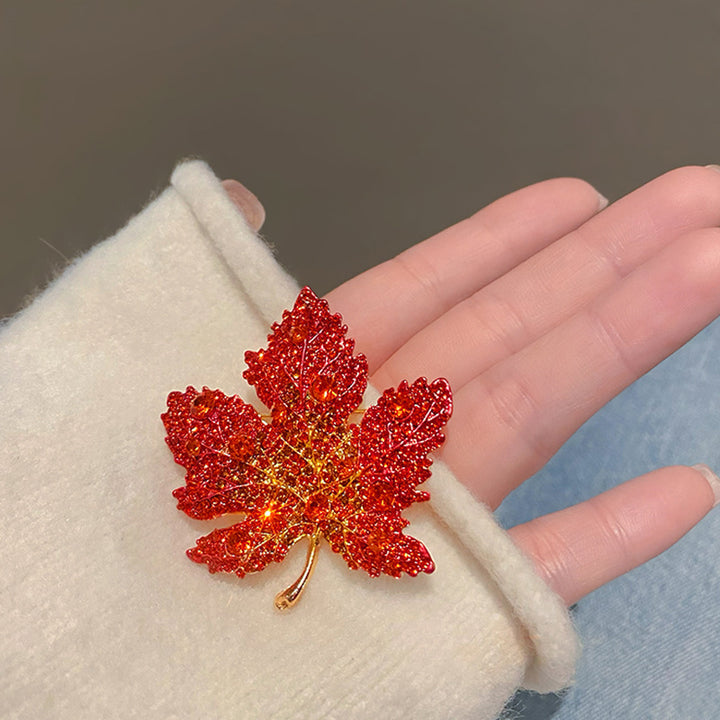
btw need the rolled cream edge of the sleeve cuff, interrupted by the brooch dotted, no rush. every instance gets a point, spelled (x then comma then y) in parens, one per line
(539, 610)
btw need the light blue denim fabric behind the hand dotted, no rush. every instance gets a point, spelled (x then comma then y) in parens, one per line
(651, 638)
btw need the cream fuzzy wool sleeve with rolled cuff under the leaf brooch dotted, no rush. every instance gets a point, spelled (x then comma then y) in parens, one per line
(103, 616)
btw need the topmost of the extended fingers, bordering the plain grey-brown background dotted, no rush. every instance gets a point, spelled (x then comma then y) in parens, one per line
(421, 283)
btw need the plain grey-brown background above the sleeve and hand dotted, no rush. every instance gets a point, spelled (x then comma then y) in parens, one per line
(363, 127)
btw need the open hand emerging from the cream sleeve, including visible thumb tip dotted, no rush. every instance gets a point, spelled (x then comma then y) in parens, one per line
(539, 309)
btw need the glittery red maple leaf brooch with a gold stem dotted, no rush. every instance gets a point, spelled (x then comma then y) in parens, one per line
(320, 467)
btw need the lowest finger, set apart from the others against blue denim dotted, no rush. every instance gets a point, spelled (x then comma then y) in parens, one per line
(578, 549)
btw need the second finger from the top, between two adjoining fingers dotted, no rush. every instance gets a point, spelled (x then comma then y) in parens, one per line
(552, 285)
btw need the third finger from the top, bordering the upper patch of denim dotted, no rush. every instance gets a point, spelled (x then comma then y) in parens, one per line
(511, 419)
